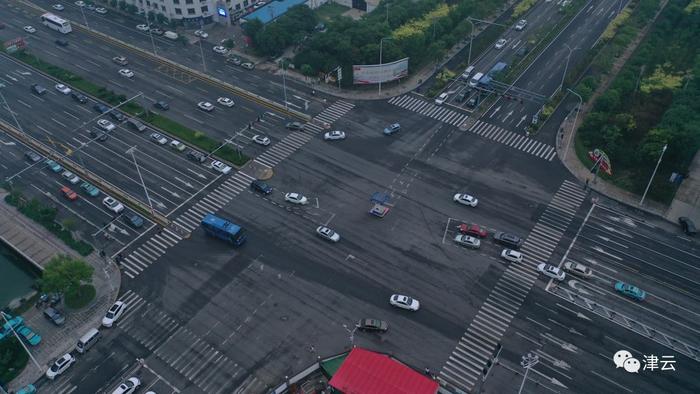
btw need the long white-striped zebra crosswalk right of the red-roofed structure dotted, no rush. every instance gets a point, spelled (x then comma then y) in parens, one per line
(476, 347)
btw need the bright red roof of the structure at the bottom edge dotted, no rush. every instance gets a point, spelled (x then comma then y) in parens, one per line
(367, 372)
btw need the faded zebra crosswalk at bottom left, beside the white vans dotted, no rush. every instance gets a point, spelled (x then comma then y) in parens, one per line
(183, 350)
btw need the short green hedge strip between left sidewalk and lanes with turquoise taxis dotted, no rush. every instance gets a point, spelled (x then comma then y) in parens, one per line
(46, 216)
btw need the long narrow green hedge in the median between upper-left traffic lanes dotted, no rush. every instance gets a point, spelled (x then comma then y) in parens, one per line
(196, 138)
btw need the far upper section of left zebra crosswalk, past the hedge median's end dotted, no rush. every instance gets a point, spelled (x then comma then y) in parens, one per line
(295, 140)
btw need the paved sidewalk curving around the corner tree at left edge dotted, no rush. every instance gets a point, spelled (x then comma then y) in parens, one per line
(38, 245)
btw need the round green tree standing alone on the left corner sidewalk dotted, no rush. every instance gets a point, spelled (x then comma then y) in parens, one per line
(66, 275)
